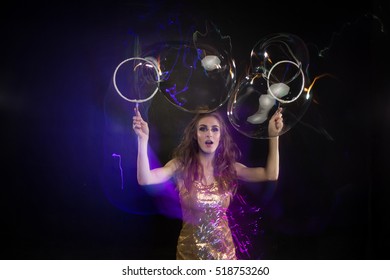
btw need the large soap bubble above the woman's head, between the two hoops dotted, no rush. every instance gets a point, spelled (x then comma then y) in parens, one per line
(197, 76)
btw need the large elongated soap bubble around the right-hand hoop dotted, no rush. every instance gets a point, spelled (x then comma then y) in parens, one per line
(277, 78)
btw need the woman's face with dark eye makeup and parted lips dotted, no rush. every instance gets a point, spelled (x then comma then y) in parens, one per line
(208, 134)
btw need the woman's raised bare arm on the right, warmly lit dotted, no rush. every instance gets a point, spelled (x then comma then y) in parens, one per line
(271, 170)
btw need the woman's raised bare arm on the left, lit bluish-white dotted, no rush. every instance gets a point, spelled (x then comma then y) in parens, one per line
(145, 175)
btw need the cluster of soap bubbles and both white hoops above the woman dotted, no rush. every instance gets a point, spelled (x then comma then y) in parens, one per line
(199, 76)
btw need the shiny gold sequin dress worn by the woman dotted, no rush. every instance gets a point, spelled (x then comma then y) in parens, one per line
(205, 234)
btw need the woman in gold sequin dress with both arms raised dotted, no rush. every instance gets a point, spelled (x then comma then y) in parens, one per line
(206, 171)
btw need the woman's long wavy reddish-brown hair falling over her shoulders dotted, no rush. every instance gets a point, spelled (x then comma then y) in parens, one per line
(226, 154)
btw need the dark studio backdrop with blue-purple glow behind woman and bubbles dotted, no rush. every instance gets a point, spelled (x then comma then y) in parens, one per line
(62, 194)
